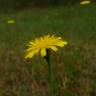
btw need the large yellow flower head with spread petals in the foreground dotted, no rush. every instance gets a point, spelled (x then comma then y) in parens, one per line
(43, 43)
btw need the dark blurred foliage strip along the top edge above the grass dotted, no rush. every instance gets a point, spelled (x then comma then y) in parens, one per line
(31, 3)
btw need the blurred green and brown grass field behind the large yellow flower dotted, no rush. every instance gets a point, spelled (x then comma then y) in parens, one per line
(74, 65)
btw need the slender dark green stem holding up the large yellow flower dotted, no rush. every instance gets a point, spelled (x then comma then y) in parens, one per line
(51, 76)
